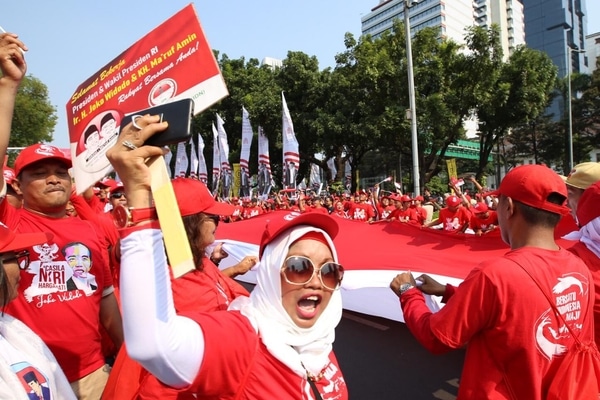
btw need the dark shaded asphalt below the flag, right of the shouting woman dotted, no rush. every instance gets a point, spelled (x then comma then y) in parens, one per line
(381, 360)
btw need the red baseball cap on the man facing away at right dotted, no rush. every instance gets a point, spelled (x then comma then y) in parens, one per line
(531, 185)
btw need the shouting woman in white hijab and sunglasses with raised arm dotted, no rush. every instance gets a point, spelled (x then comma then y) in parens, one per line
(277, 343)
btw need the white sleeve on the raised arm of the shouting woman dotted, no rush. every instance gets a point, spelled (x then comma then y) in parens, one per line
(171, 347)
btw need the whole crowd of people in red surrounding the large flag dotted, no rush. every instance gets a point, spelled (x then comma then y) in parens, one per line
(91, 309)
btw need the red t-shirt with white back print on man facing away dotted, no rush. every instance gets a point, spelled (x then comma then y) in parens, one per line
(505, 320)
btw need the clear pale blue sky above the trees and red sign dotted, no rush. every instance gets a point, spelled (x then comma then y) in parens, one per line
(69, 40)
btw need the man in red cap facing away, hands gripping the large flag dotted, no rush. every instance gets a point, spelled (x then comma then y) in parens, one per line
(504, 312)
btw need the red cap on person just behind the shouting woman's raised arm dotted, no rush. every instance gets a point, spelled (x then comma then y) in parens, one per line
(193, 197)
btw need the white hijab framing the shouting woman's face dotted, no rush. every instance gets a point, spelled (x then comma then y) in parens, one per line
(287, 342)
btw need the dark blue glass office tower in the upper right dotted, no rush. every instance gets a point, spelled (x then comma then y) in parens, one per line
(558, 27)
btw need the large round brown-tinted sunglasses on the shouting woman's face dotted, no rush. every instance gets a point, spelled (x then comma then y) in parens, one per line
(299, 270)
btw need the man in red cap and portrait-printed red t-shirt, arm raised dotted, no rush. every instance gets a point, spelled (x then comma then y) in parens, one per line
(44, 302)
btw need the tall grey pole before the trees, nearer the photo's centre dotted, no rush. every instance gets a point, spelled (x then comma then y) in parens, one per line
(411, 99)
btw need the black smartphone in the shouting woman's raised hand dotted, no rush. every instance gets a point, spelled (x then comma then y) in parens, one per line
(178, 114)
